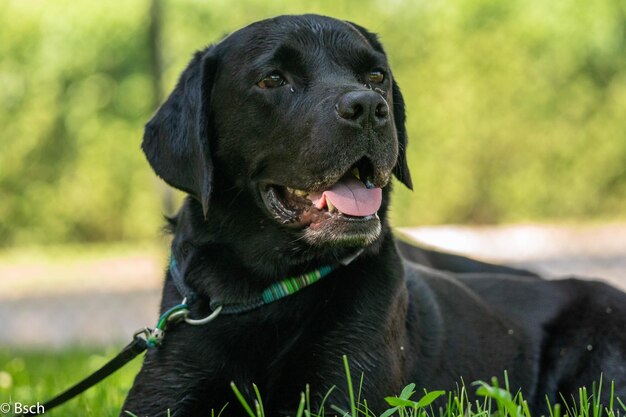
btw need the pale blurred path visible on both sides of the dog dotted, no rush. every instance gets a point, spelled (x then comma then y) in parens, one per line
(102, 301)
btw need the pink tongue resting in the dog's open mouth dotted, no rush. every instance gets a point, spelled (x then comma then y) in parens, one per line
(351, 197)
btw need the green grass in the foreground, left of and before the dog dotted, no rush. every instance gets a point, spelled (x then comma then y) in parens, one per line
(32, 376)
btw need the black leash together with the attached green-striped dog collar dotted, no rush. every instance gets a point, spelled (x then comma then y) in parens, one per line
(146, 337)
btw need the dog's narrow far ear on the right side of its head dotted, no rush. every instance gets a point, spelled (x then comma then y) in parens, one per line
(401, 170)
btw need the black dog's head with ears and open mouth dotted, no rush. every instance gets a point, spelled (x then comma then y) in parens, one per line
(294, 123)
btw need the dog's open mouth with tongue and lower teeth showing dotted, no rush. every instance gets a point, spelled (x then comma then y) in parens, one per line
(353, 198)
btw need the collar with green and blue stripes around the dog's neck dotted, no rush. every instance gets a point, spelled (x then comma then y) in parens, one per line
(272, 293)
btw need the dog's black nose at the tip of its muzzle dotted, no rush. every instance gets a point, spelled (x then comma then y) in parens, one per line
(363, 108)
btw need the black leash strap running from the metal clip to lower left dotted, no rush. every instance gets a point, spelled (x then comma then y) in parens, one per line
(130, 352)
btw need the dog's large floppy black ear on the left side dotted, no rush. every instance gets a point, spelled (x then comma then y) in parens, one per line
(176, 140)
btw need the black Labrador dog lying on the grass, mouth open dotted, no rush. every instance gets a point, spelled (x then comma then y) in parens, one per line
(285, 135)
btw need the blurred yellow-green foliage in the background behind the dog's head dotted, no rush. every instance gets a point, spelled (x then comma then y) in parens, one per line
(516, 108)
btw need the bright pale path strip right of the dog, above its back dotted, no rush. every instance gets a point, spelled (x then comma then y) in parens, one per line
(590, 251)
